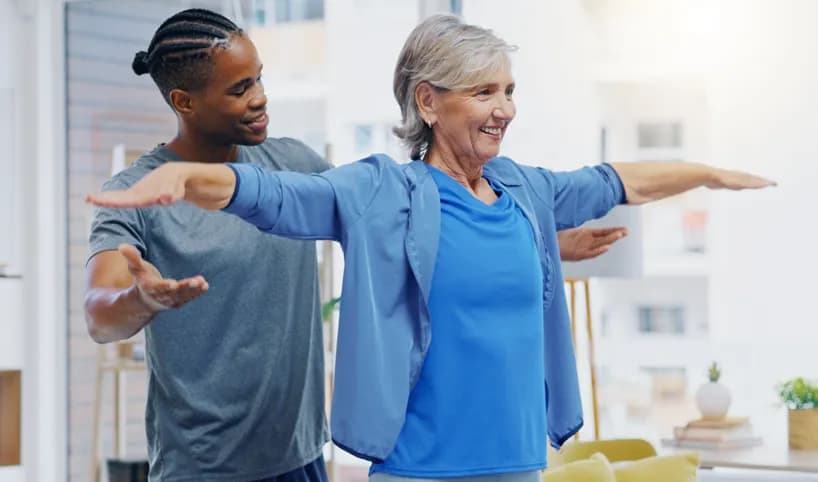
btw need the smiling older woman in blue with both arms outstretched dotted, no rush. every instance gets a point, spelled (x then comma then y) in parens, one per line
(454, 355)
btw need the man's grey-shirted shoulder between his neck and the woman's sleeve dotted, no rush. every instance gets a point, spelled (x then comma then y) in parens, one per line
(288, 154)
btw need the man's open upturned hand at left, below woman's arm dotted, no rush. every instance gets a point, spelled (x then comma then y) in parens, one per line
(156, 292)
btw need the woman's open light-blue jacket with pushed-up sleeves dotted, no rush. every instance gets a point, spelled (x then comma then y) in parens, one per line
(387, 218)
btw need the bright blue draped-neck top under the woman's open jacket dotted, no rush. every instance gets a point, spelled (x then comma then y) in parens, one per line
(482, 374)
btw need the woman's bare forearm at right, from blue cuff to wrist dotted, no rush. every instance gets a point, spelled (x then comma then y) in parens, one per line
(650, 181)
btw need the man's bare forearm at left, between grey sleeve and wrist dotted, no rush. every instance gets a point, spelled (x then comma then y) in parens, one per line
(116, 314)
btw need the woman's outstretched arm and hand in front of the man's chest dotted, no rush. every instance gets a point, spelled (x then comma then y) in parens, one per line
(290, 204)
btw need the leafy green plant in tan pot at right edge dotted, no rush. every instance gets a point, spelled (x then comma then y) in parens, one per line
(801, 398)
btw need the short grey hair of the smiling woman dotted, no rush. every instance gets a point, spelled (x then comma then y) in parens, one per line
(449, 55)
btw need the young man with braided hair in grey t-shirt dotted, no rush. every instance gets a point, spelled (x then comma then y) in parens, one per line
(235, 388)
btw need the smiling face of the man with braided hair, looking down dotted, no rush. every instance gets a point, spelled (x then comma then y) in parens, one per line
(232, 107)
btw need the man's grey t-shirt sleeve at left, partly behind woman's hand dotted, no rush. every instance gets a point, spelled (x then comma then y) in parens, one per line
(112, 227)
